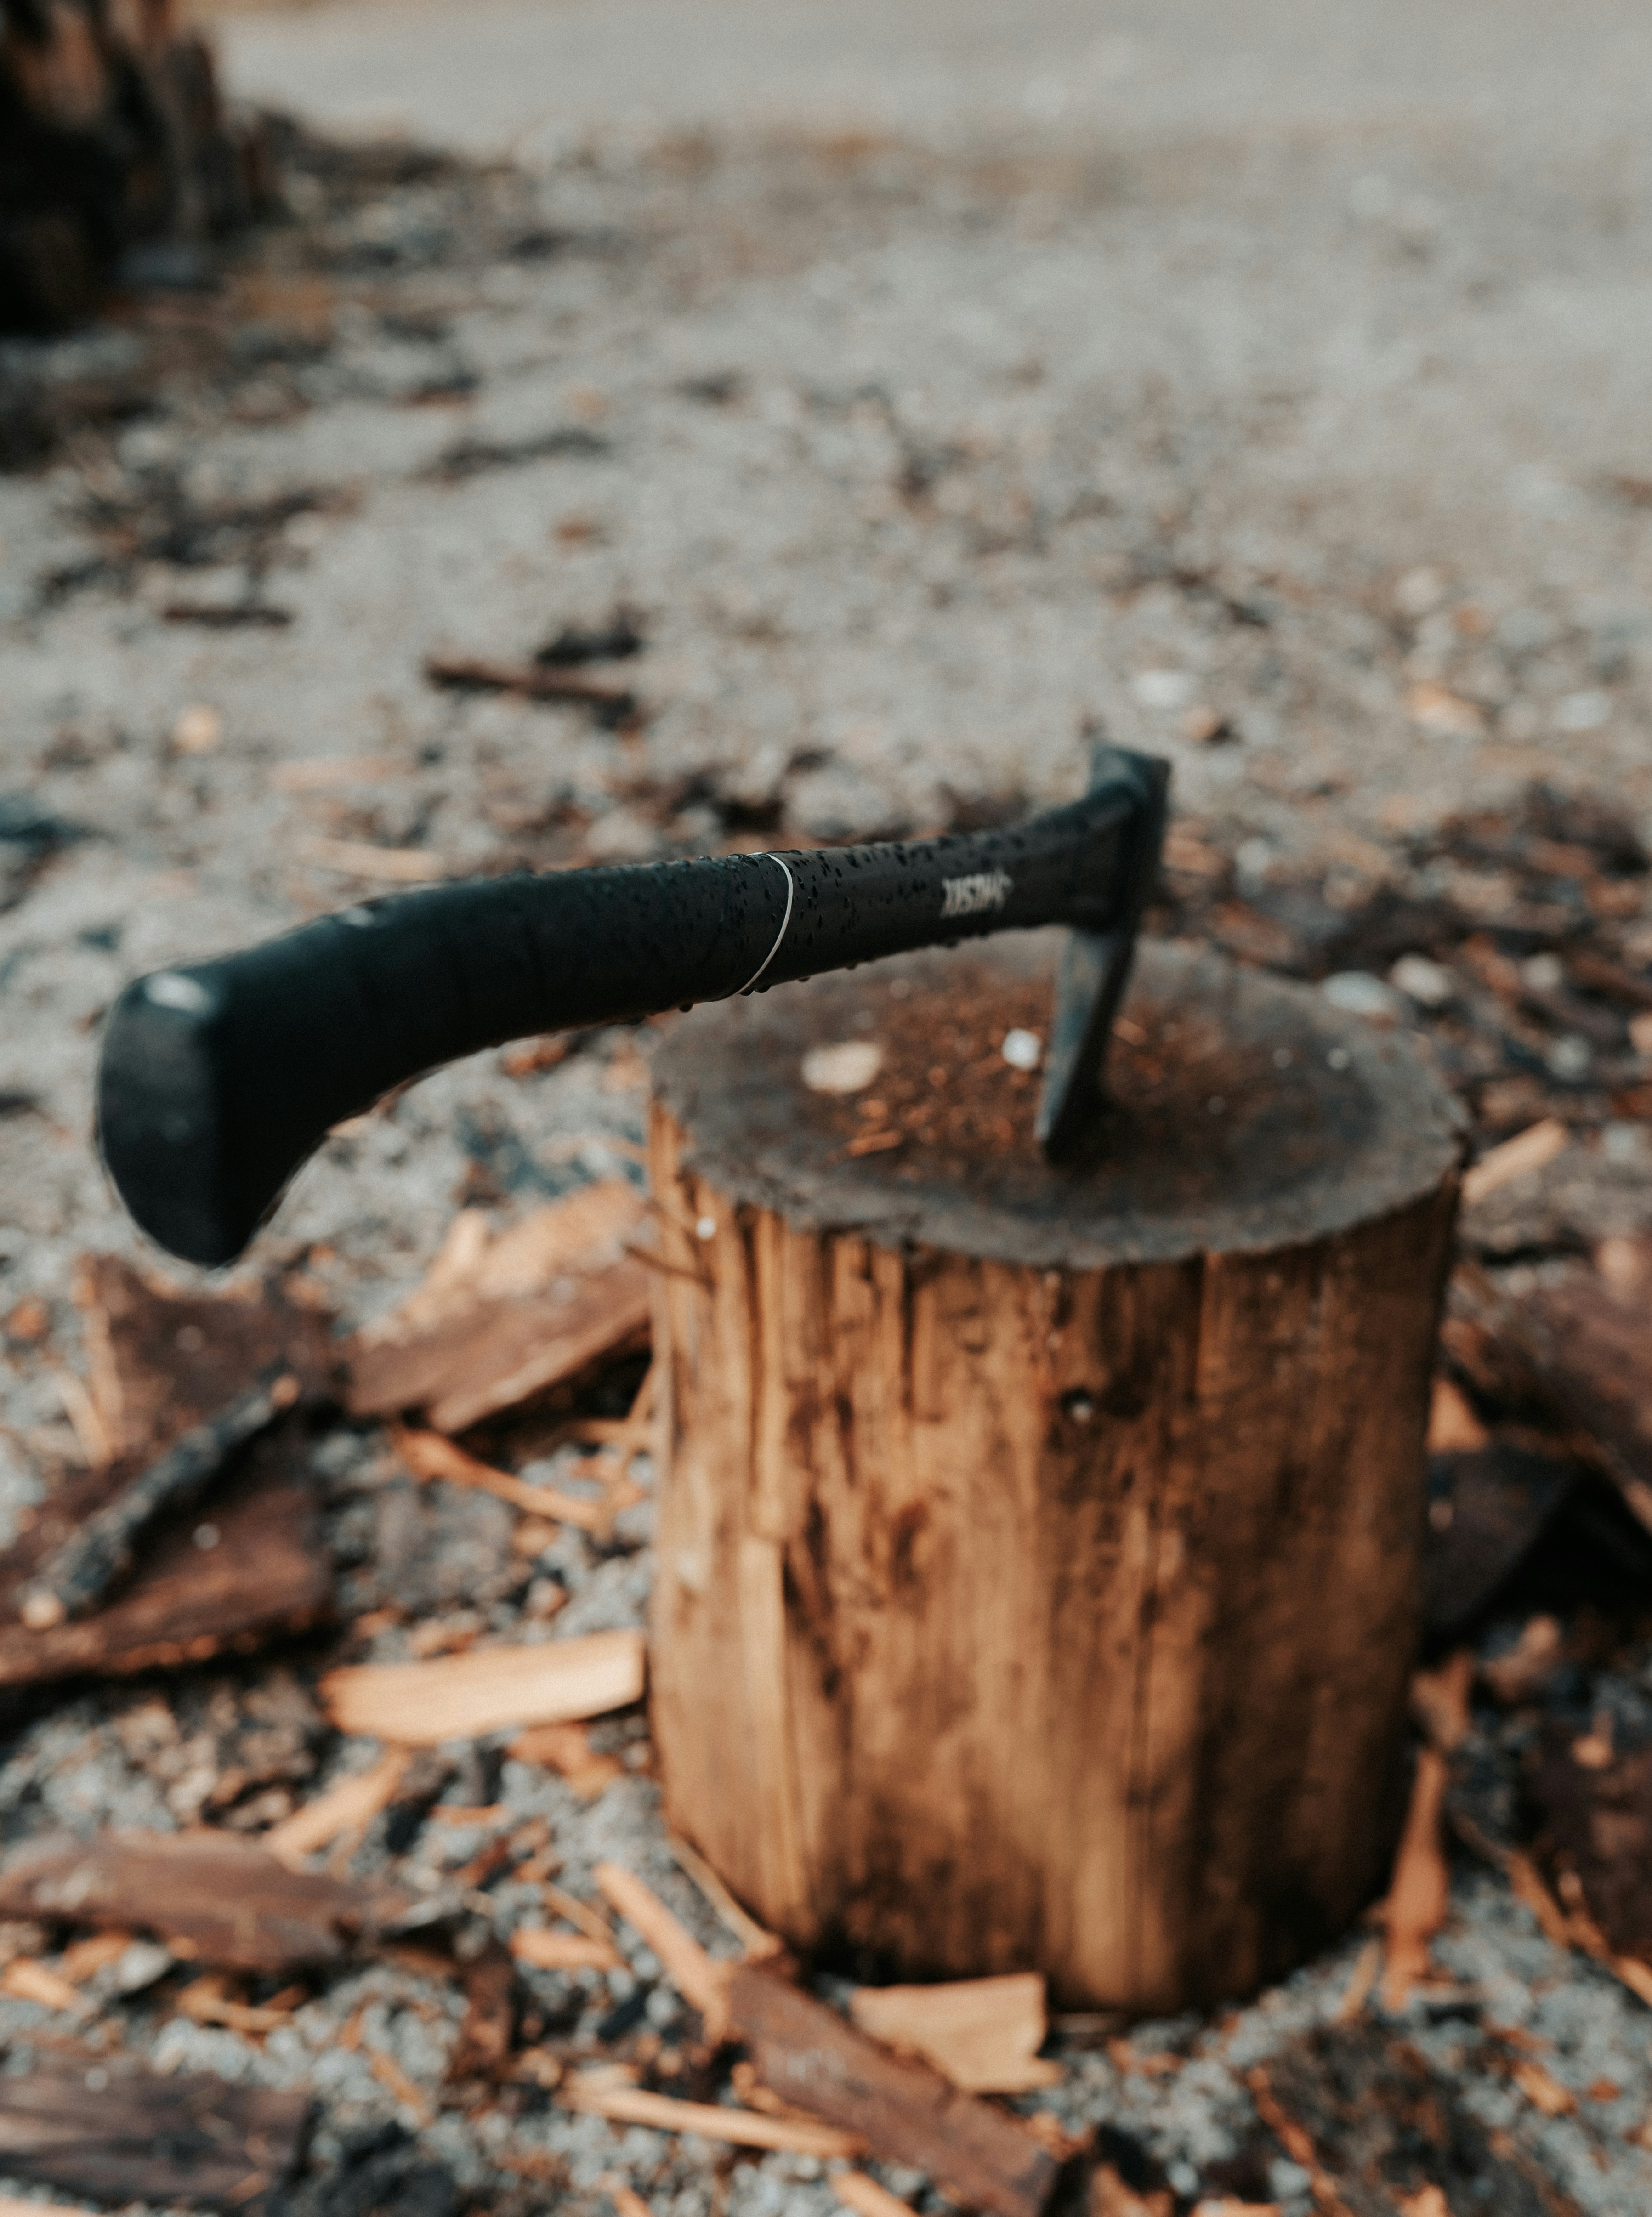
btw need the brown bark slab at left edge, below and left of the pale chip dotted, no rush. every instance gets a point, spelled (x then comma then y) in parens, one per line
(212, 1897)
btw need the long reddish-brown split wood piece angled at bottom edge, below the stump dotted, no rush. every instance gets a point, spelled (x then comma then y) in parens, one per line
(899, 2107)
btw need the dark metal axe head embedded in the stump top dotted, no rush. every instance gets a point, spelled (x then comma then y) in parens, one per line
(1097, 963)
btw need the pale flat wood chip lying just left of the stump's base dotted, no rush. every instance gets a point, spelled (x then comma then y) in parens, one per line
(487, 1688)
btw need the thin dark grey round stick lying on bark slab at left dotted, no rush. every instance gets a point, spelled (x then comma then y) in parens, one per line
(101, 1553)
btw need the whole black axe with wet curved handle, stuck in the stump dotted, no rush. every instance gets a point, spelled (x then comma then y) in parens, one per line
(218, 1081)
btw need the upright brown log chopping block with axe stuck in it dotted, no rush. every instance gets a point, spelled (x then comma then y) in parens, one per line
(1039, 1564)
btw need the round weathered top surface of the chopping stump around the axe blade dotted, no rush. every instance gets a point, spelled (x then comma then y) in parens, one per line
(1245, 1114)
